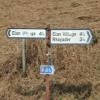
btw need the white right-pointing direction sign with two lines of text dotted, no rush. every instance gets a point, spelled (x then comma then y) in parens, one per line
(71, 36)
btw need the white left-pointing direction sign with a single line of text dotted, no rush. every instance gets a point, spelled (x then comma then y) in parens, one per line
(26, 33)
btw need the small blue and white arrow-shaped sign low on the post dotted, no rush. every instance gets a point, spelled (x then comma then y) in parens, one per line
(47, 69)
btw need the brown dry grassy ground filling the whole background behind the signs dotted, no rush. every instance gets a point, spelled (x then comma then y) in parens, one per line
(77, 74)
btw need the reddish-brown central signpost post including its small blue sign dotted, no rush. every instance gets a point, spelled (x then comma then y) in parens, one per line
(48, 69)
